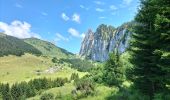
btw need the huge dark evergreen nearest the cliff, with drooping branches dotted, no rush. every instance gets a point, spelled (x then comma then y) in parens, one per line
(150, 69)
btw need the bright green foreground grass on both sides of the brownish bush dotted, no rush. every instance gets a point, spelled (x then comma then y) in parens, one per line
(65, 93)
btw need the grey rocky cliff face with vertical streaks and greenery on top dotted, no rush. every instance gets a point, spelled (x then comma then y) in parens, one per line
(97, 45)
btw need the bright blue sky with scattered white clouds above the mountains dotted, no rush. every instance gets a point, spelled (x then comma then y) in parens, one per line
(63, 22)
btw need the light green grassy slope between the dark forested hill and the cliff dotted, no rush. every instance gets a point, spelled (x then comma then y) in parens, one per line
(47, 48)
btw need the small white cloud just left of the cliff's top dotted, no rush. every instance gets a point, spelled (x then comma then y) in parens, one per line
(75, 33)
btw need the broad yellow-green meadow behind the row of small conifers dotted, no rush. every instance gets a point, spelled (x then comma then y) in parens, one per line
(16, 69)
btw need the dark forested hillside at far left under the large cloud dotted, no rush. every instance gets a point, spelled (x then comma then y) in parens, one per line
(11, 45)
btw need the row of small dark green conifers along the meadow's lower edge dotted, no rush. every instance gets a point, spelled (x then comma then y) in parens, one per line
(23, 90)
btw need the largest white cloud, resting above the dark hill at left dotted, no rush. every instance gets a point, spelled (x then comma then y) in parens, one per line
(18, 29)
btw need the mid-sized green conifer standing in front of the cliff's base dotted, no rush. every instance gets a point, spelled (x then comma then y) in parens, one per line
(113, 73)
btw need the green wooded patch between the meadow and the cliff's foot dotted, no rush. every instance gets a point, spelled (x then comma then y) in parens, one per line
(79, 64)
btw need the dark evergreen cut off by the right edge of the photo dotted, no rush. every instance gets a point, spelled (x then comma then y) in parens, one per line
(162, 28)
